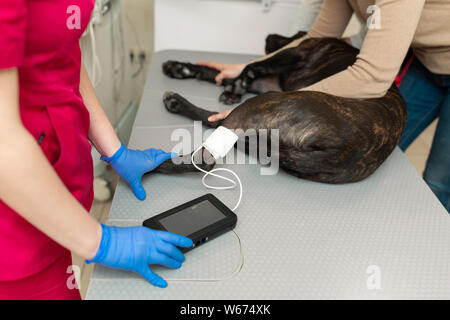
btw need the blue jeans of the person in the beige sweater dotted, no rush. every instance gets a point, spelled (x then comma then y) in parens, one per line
(427, 97)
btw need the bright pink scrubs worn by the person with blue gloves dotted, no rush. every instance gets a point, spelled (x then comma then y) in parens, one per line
(41, 39)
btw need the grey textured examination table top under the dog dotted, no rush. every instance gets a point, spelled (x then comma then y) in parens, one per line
(385, 237)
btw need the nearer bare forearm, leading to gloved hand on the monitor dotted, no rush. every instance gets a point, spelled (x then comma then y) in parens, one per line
(31, 187)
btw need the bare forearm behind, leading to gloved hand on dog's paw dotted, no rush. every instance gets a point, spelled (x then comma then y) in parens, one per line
(101, 132)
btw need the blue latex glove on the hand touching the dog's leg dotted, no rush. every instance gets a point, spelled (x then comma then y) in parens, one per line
(131, 165)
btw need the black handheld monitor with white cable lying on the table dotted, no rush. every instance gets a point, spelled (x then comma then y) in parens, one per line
(201, 220)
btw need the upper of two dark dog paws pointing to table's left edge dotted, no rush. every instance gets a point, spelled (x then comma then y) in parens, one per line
(182, 70)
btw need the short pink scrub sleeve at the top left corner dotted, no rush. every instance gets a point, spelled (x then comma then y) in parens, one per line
(13, 24)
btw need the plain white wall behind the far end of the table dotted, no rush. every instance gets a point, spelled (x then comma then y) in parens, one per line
(238, 26)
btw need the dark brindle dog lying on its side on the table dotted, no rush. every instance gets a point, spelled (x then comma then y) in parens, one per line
(323, 137)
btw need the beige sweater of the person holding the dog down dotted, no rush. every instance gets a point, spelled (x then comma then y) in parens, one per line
(422, 24)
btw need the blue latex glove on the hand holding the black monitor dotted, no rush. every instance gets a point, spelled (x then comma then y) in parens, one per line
(134, 248)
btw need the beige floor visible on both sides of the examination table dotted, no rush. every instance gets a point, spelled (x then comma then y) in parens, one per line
(417, 154)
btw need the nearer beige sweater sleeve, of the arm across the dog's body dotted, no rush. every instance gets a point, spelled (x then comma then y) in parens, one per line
(382, 54)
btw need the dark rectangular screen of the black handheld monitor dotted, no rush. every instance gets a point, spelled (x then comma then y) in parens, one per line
(192, 219)
